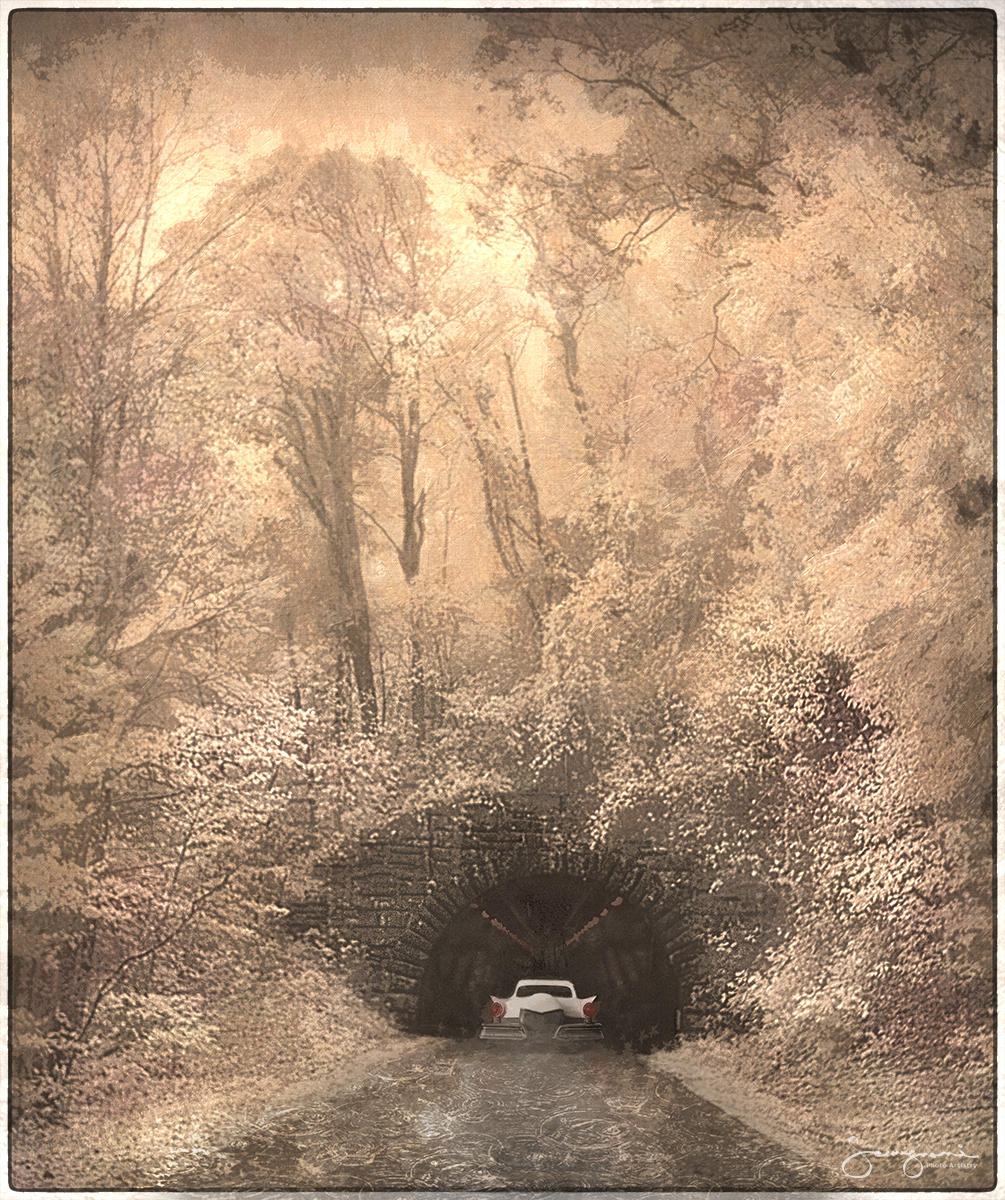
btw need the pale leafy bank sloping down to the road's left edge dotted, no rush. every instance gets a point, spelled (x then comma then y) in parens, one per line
(270, 1035)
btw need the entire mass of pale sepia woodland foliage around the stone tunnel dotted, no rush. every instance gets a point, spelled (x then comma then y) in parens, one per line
(655, 469)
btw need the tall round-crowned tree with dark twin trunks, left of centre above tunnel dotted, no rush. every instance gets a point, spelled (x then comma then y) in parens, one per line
(347, 271)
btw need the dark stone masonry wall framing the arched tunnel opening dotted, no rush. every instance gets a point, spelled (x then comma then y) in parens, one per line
(402, 884)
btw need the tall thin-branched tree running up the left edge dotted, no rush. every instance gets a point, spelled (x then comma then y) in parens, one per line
(133, 556)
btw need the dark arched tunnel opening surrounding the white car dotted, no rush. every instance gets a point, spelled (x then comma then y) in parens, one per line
(553, 925)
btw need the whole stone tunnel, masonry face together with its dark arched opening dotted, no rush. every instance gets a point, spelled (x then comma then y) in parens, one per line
(454, 905)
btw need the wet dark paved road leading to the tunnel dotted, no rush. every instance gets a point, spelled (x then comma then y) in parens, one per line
(473, 1118)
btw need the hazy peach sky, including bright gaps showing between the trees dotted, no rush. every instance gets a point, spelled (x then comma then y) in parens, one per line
(393, 83)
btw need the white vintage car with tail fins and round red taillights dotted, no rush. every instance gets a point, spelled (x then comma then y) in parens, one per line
(543, 1011)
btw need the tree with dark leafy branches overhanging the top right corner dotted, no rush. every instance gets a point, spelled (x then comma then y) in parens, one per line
(705, 105)
